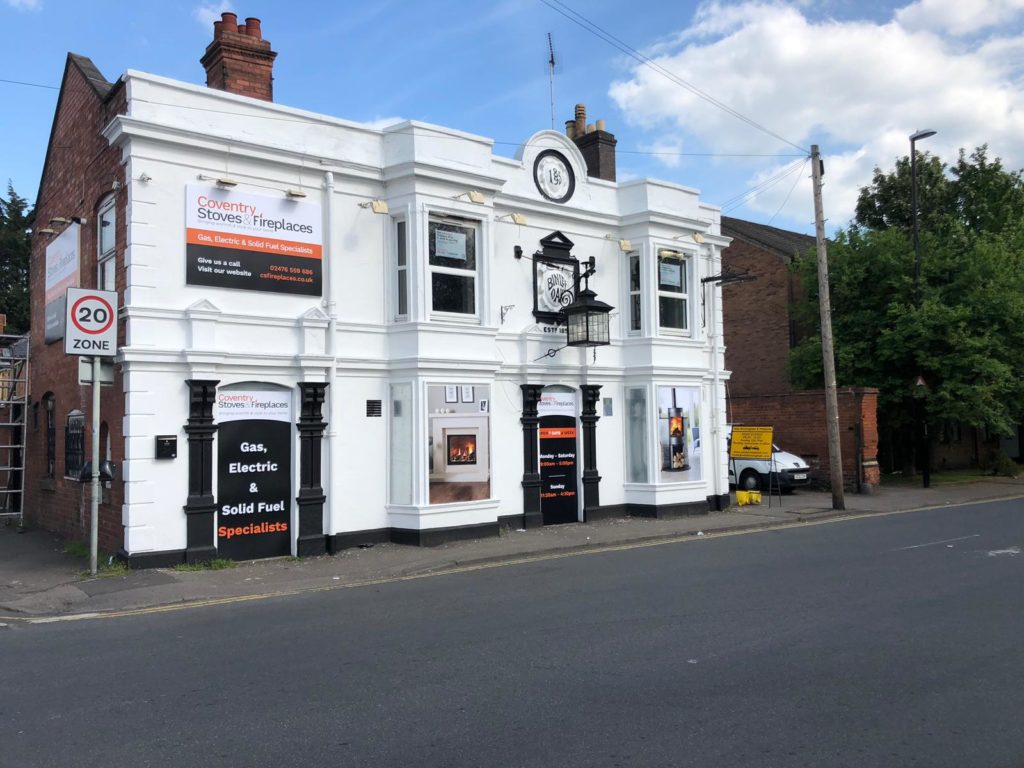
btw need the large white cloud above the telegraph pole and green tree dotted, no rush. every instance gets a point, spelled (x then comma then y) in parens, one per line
(858, 89)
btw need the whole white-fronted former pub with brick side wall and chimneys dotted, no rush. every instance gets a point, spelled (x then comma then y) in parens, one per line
(335, 335)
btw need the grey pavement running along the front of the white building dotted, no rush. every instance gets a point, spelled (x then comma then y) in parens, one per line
(40, 582)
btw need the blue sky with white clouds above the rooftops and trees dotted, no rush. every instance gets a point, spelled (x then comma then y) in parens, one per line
(857, 78)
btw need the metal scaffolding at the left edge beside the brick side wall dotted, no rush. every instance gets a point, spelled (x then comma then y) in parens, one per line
(14, 411)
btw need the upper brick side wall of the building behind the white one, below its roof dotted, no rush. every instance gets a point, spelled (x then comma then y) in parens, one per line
(756, 318)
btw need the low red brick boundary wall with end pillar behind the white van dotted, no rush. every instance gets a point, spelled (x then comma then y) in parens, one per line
(800, 428)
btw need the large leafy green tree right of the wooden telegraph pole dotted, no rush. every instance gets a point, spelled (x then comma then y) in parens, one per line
(963, 332)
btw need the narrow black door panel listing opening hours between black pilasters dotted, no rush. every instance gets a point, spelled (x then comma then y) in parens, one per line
(560, 493)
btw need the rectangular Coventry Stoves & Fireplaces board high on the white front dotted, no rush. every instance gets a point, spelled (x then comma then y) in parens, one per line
(252, 242)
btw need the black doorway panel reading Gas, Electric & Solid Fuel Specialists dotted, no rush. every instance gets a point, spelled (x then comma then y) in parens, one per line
(254, 474)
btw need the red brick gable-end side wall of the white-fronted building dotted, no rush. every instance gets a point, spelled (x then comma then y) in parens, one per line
(81, 192)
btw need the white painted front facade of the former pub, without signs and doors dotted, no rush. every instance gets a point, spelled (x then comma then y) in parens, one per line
(370, 343)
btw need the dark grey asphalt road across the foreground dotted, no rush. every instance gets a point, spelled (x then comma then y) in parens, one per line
(887, 642)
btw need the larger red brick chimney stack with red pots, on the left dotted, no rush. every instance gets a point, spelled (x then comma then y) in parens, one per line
(239, 60)
